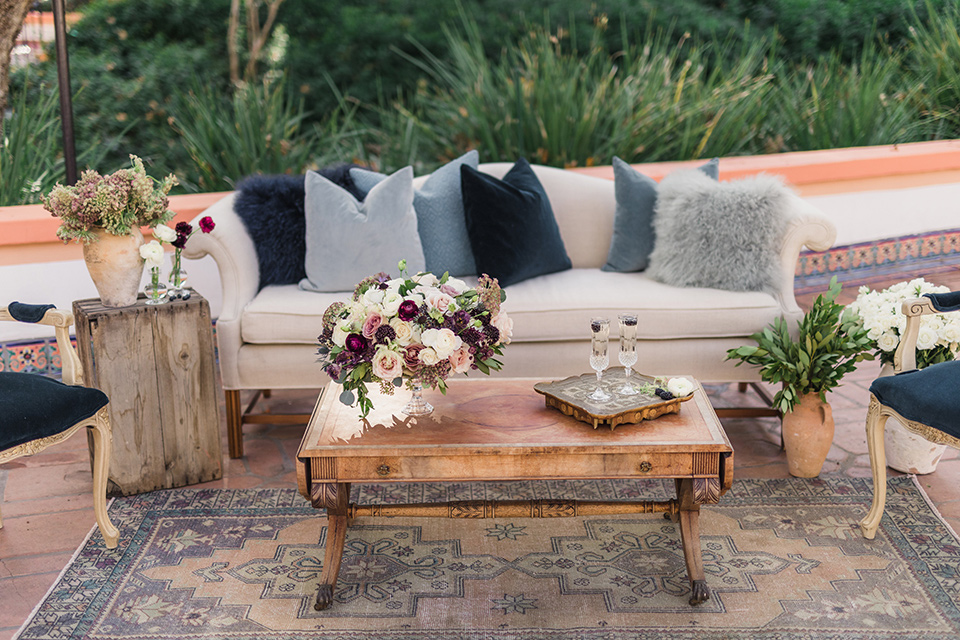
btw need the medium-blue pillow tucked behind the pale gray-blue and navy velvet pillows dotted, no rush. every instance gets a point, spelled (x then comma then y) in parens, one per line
(440, 217)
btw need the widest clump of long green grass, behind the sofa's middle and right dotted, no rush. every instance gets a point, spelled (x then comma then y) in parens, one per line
(558, 105)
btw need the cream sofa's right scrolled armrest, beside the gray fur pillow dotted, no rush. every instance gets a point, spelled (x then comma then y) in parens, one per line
(808, 227)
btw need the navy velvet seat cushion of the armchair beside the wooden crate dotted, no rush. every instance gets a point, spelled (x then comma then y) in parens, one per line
(33, 406)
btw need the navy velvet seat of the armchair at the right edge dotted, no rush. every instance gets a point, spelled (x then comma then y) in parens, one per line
(930, 396)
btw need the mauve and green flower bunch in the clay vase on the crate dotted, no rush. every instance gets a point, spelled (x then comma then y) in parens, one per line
(116, 203)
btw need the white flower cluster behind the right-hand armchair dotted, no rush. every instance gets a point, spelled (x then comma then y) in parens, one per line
(879, 313)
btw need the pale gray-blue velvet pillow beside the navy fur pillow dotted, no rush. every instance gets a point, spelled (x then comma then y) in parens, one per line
(348, 240)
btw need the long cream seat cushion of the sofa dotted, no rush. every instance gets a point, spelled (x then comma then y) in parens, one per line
(555, 307)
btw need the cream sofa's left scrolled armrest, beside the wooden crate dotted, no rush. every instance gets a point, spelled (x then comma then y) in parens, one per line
(233, 250)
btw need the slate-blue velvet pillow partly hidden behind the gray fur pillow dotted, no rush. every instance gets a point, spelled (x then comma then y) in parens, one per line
(633, 235)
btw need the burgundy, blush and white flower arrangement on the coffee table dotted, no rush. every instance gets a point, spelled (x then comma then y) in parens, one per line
(419, 329)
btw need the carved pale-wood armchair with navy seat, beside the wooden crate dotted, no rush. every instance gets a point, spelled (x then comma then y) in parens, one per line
(36, 411)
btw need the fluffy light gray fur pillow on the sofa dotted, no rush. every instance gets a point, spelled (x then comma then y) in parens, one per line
(721, 235)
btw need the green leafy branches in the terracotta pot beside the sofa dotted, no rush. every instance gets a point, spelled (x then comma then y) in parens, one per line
(828, 347)
